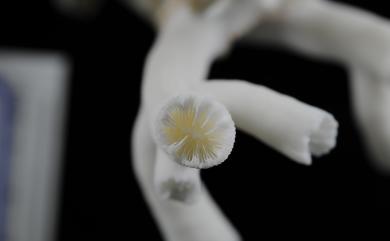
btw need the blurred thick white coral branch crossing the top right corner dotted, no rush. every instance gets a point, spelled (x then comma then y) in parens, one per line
(330, 30)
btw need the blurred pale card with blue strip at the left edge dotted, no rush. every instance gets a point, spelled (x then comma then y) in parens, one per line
(32, 108)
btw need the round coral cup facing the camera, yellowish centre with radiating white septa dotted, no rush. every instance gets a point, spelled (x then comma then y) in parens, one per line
(195, 131)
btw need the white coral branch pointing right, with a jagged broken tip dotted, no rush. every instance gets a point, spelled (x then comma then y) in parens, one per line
(295, 129)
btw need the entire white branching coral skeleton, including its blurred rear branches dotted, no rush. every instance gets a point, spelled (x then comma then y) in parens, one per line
(186, 123)
